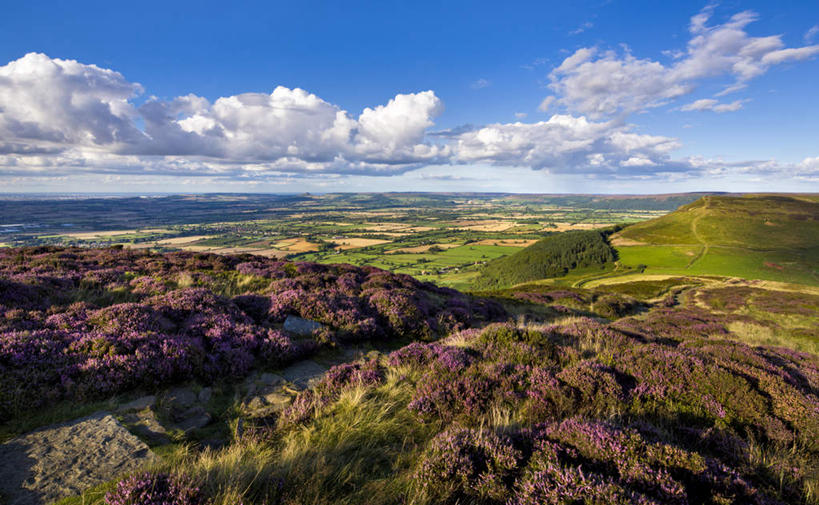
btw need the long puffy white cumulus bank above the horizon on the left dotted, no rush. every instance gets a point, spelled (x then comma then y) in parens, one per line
(50, 106)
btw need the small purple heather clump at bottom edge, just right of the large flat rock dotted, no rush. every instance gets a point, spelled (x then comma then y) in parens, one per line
(155, 489)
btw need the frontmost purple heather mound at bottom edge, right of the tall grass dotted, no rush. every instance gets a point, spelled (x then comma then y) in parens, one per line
(573, 461)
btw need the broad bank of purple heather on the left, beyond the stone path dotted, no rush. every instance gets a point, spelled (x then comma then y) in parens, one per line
(87, 323)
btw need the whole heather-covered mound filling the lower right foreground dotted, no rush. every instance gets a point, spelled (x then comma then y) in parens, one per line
(694, 404)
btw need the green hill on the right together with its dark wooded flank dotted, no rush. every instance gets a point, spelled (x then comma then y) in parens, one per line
(769, 237)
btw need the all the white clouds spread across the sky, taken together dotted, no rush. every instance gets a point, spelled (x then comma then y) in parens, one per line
(62, 118)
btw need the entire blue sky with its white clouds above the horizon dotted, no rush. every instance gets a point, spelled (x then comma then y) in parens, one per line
(604, 96)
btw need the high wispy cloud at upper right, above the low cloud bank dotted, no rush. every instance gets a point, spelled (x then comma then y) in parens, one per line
(604, 83)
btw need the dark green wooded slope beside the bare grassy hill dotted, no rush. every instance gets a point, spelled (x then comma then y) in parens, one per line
(553, 256)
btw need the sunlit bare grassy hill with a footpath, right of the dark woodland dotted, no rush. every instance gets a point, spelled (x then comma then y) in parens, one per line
(771, 237)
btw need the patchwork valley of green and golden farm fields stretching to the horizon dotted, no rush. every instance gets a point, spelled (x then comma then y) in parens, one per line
(444, 238)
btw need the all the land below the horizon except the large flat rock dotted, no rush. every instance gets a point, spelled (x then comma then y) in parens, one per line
(658, 349)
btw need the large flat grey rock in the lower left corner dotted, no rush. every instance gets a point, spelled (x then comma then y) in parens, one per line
(65, 459)
